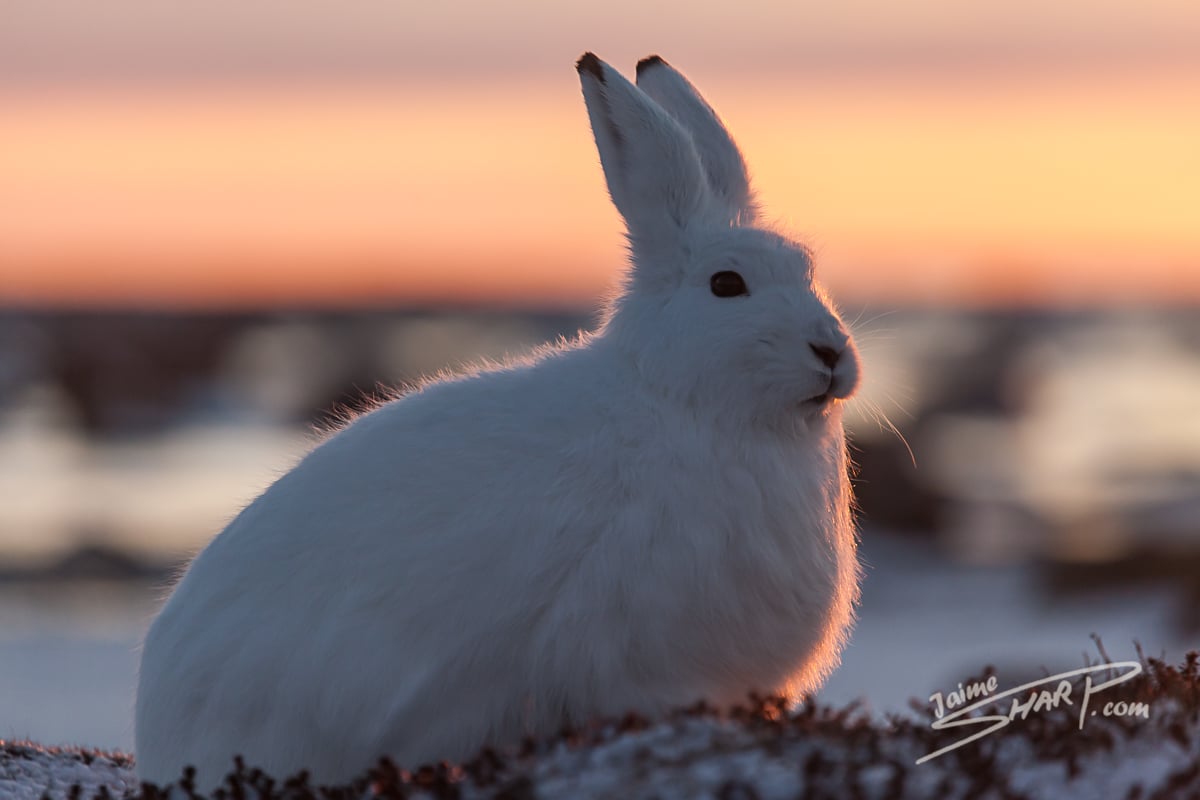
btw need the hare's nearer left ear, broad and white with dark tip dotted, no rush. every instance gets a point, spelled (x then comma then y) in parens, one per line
(650, 163)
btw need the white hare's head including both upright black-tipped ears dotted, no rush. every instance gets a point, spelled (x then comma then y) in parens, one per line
(718, 312)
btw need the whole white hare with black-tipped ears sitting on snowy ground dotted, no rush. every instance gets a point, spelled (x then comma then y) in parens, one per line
(651, 515)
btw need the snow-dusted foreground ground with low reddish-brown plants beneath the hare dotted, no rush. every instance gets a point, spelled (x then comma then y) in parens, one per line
(759, 753)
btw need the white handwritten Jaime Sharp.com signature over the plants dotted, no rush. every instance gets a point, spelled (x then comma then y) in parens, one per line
(1045, 695)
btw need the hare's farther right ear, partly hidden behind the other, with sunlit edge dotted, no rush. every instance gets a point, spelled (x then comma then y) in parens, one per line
(723, 161)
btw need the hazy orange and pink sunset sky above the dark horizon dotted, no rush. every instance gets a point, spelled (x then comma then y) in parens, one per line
(205, 154)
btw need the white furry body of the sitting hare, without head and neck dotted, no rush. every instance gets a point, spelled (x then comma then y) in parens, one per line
(464, 619)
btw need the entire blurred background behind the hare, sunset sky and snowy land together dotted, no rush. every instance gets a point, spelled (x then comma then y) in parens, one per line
(223, 222)
